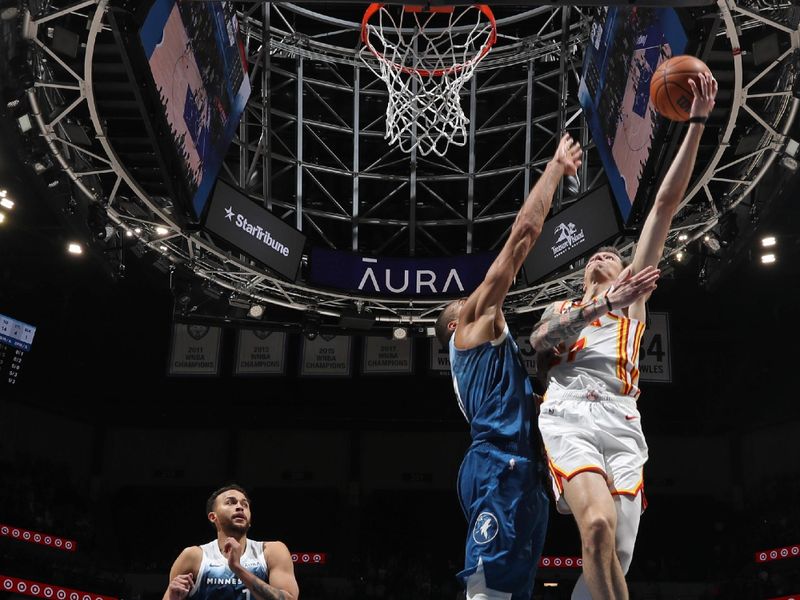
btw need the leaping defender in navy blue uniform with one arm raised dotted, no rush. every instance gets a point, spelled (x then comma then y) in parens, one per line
(500, 482)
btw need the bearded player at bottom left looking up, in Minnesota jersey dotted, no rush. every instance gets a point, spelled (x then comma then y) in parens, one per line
(232, 567)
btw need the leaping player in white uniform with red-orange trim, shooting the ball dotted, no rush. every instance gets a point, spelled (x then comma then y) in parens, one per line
(589, 422)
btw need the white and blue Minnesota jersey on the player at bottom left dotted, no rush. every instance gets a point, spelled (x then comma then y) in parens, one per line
(215, 580)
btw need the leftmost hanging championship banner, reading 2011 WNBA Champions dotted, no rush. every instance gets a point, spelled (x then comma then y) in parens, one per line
(195, 350)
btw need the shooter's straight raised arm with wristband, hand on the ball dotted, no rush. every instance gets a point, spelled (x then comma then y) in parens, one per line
(673, 188)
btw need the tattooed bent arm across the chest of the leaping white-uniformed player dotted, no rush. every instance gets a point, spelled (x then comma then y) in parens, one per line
(556, 327)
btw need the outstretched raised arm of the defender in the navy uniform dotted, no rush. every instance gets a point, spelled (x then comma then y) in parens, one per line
(481, 317)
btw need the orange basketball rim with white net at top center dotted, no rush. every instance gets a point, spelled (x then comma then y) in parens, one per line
(425, 56)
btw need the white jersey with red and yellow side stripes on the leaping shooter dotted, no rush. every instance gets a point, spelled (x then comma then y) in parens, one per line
(606, 351)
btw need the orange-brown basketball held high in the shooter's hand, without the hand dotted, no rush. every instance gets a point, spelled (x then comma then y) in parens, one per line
(669, 89)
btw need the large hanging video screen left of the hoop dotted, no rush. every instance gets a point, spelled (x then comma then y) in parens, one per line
(198, 66)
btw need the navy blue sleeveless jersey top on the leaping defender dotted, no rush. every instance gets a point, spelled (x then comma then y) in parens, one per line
(494, 391)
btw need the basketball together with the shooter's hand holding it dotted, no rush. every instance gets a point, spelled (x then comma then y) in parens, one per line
(676, 85)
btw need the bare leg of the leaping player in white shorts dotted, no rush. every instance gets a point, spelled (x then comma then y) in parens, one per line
(595, 513)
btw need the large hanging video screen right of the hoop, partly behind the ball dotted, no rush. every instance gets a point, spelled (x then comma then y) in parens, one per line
(626, 47)
